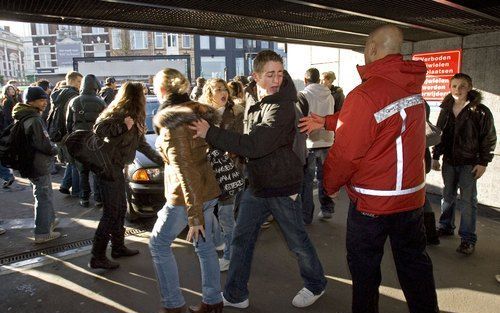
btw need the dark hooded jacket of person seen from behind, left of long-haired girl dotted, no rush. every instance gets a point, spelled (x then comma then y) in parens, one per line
(84, 109)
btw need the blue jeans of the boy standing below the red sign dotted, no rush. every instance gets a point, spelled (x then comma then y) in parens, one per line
(454, 178)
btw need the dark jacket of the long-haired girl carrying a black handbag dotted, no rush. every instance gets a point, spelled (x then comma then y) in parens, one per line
(130, 140)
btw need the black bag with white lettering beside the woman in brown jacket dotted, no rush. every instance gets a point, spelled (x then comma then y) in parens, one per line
(230, 179)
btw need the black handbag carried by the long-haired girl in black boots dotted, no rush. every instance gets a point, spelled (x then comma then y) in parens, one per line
(94, 152)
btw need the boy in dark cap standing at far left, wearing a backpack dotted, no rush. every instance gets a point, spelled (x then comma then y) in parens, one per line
(39, 174)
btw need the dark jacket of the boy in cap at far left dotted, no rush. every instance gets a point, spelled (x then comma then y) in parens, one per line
(34, 128)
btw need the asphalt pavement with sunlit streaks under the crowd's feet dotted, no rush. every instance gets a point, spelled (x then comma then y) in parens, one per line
(54, 277)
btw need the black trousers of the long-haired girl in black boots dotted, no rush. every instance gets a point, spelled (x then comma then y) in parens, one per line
(113, 215)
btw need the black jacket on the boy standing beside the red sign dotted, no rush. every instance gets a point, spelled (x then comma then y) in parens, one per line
(468, 139)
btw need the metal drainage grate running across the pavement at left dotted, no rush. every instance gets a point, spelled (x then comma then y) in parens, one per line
(141, 228)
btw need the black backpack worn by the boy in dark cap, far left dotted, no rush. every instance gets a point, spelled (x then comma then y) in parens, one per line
(15, 149)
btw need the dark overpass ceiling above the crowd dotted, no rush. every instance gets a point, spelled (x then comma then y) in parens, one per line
(343, 24)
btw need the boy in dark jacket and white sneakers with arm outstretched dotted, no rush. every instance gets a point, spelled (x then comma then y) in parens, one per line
(275, 175)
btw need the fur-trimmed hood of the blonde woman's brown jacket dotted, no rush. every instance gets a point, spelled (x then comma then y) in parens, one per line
(177, 115)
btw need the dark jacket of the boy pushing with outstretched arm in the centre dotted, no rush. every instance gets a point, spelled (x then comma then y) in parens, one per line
(273, 168)
